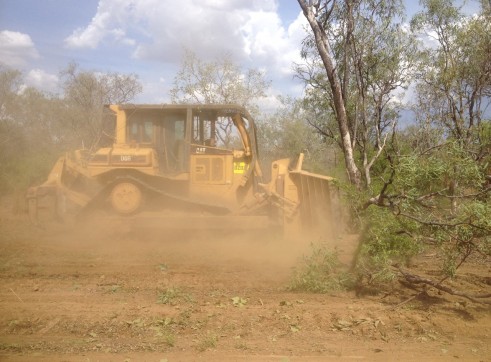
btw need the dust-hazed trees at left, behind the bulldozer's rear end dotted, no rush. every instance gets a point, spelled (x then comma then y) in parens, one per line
(36, 128)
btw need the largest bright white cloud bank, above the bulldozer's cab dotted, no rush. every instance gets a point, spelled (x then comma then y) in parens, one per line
(252, 32)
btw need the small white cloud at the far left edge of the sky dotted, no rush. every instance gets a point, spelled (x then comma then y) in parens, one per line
(16, 49)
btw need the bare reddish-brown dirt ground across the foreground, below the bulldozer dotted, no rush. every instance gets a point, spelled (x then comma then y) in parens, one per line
(108, 293)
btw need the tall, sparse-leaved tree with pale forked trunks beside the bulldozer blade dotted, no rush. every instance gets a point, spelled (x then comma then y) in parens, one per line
(356, 60)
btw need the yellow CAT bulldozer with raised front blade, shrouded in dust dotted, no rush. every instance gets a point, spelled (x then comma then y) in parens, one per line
(183, 166)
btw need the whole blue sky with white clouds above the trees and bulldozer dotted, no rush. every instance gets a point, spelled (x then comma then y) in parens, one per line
(147, 38)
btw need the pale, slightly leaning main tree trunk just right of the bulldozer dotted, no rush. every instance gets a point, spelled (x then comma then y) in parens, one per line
(341, 117)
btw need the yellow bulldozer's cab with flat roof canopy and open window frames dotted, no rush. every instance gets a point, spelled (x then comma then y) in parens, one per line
(185, 138)
